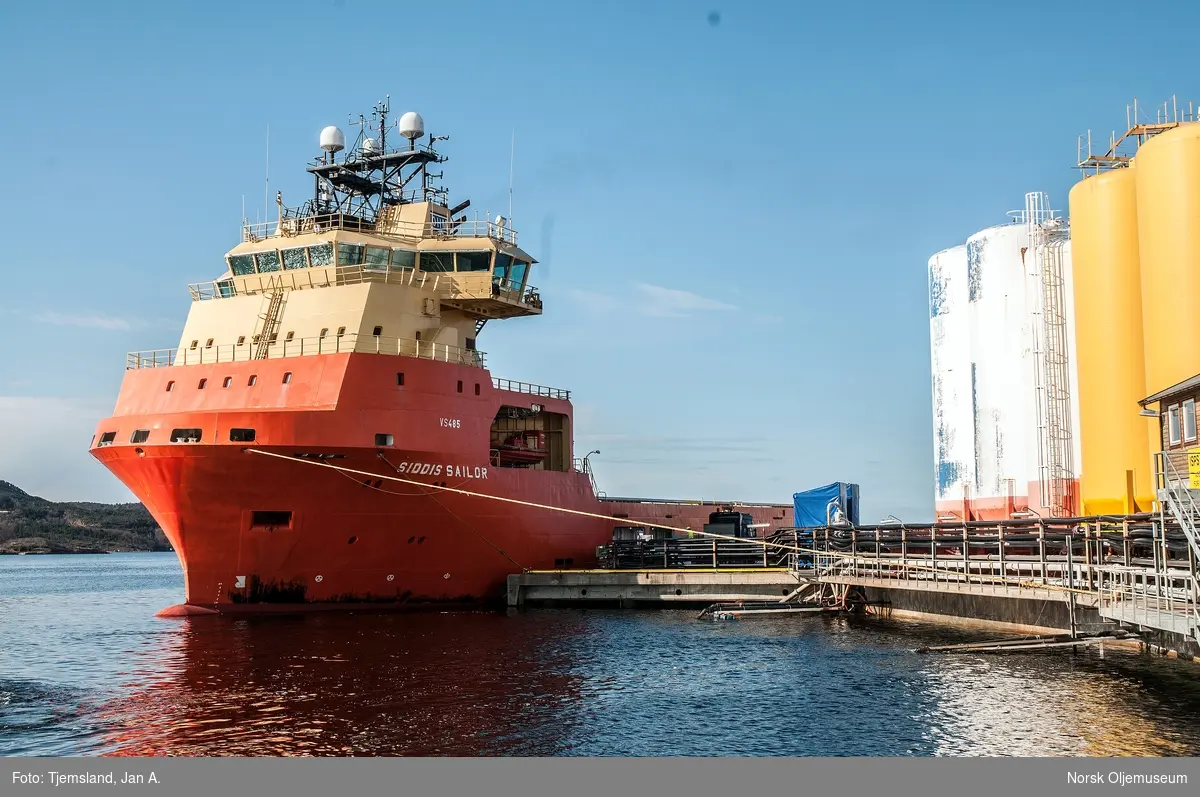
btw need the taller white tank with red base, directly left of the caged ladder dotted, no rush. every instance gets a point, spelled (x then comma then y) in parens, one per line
(1000, 341)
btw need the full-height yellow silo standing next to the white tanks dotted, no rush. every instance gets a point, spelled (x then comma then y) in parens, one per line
(1115, 475)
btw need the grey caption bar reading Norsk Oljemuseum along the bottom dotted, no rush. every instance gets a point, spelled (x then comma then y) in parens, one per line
(601, 777)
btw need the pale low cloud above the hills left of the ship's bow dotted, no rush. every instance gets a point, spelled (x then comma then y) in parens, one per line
(44, 448)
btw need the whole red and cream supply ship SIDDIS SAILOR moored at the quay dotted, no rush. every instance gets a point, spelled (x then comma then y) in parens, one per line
(327, 433)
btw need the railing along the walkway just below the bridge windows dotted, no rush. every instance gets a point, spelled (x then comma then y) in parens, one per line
(452, 285)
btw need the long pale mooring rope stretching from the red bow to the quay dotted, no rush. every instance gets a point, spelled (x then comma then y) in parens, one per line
(793, 549)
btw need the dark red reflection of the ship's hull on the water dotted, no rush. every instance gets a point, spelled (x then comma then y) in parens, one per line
(359, 685)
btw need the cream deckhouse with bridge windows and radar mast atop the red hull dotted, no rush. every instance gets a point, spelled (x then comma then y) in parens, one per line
(364, 267)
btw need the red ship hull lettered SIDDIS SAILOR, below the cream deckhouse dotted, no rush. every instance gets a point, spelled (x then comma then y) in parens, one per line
(257, 532)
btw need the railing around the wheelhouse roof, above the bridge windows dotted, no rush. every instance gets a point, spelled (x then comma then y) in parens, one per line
(292, 226)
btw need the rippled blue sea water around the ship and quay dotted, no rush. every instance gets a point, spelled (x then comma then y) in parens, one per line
(87, 669)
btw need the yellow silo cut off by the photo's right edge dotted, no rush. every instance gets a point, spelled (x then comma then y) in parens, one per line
(1169, 248)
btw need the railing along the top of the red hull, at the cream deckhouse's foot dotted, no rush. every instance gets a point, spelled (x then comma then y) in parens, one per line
(347, 344)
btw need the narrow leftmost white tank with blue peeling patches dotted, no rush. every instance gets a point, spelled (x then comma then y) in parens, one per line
(950, 333)
